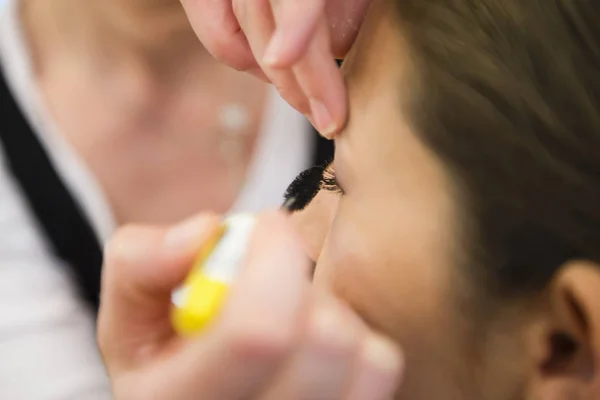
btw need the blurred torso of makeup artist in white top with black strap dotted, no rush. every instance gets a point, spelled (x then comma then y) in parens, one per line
(112, 113)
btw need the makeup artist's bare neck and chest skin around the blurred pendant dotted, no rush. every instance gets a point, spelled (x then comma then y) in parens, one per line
(120, 80)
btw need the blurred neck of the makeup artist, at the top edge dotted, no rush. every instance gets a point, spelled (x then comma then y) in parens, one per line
(154, 34)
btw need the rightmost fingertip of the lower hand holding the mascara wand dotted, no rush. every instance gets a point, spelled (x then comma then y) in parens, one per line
(379, 371)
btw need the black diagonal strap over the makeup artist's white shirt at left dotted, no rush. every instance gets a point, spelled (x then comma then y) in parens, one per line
(60, 216)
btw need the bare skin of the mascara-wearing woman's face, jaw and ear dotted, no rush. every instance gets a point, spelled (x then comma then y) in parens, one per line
(392, 254)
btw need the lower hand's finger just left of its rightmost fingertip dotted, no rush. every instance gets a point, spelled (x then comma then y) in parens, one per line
(323, 364)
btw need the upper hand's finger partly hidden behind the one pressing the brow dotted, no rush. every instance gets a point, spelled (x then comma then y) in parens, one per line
(256, 19)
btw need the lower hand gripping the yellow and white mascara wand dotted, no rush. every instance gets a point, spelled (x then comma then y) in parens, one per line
(269, 335)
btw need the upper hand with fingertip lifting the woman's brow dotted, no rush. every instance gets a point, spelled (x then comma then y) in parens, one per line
(291, 43)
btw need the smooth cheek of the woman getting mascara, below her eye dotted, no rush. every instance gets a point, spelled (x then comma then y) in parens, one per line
(396, 287)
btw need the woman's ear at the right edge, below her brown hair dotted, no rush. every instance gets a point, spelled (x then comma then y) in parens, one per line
(570, 367)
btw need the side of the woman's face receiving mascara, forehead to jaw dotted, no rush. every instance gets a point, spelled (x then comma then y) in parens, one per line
(386, 245)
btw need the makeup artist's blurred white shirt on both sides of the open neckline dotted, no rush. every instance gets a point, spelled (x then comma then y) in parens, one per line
(47, 336)
